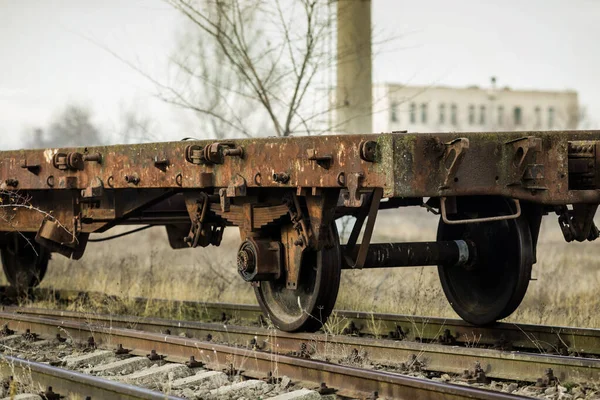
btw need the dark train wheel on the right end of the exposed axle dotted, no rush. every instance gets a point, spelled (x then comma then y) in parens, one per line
(494, 286)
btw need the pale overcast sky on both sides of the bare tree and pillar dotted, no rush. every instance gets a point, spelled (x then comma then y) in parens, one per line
(52, 53)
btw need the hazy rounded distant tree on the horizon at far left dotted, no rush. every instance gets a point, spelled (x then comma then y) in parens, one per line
(73, 127)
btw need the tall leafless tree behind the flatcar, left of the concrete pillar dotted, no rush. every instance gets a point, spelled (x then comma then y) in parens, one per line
(249, 66)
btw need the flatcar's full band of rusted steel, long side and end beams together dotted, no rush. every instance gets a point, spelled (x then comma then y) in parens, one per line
(405, 165)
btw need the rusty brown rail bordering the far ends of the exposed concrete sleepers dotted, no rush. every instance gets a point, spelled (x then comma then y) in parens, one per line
(350, 381)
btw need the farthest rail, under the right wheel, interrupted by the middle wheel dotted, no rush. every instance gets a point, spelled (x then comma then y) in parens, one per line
(529, 337)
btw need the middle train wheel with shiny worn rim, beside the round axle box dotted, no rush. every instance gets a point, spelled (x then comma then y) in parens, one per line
(307, 307)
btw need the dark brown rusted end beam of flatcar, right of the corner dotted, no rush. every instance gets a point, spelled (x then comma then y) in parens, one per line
(491, 164)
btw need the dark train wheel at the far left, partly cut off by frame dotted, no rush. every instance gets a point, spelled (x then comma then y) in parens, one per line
(24, 261)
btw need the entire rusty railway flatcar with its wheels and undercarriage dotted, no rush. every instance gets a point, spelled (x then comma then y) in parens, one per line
(285, 194)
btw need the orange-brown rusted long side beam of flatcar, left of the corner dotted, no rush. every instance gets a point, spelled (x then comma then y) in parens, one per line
(261, 156)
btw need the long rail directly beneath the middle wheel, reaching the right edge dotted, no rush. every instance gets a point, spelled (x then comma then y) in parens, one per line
(433, 357)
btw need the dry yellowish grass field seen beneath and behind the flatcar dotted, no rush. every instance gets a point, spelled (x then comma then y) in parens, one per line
(564, 292)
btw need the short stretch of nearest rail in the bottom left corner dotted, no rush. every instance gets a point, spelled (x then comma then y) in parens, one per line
(66, 382)
